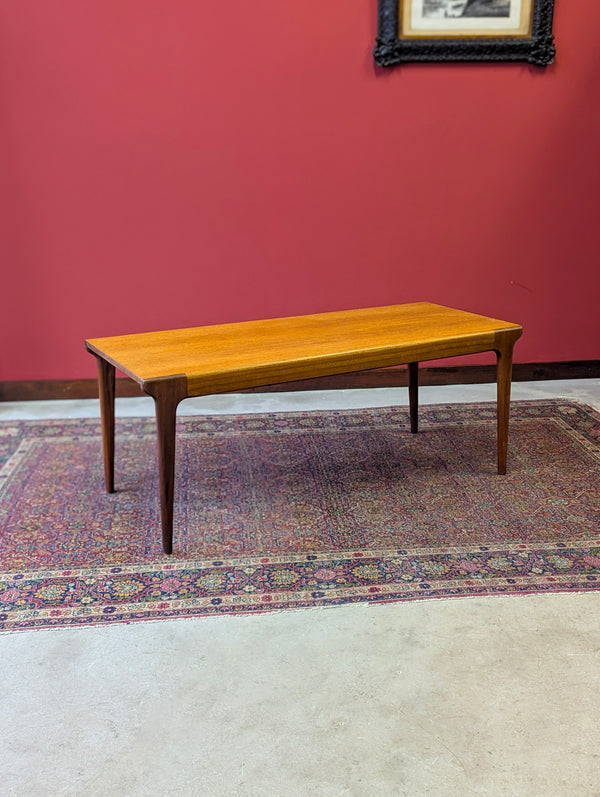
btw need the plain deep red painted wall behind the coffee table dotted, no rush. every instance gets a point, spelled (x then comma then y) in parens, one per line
(175, 162)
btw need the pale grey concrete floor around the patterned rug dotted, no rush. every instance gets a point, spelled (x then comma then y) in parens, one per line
(480, 696)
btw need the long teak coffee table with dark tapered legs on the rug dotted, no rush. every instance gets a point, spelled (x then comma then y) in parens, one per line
(180, 363)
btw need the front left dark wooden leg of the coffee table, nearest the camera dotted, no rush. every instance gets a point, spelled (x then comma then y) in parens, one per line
(167, 393)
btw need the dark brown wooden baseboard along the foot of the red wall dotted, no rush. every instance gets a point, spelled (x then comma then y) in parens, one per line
(44, 390)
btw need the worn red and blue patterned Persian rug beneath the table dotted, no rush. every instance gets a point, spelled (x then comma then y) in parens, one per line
(288, 510)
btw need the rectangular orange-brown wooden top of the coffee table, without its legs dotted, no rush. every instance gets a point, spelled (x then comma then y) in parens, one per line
(224, 357)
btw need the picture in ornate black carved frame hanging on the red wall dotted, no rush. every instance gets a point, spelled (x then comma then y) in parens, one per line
(465, 30)
